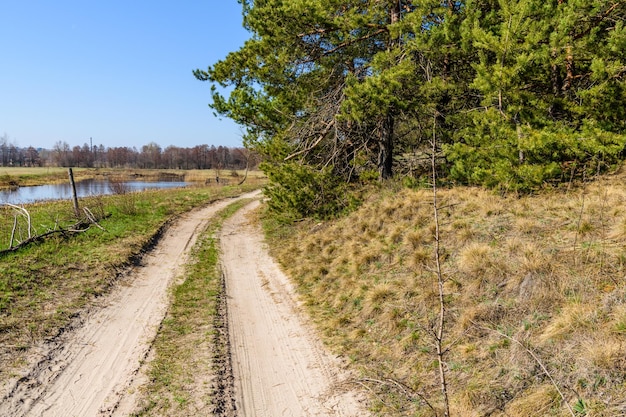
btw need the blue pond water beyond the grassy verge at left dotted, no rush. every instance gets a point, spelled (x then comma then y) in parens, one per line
(25, 195)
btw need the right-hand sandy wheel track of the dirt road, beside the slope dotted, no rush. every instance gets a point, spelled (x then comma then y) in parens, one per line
(279, 367)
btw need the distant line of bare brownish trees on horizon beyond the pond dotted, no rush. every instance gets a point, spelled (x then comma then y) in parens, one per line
(150, 156)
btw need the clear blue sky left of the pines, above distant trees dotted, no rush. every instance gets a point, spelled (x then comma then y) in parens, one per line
(117, 71)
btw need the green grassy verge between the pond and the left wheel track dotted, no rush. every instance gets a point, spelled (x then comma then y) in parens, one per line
(46, 285)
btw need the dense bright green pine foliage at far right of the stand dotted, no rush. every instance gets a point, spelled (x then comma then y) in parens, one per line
(539, 75)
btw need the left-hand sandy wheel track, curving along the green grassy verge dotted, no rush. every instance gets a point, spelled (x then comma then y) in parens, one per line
(86, 372)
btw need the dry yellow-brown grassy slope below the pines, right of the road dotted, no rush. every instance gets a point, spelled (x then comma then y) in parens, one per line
(546, 271)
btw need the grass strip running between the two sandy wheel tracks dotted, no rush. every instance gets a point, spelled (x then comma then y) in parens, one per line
(180, 374)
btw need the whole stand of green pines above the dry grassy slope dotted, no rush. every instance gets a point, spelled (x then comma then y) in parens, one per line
(517, 92)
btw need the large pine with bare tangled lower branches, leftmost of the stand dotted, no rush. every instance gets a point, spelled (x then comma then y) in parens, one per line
(290, 80)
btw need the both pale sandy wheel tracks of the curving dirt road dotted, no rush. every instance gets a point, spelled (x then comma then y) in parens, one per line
(279, 369)
